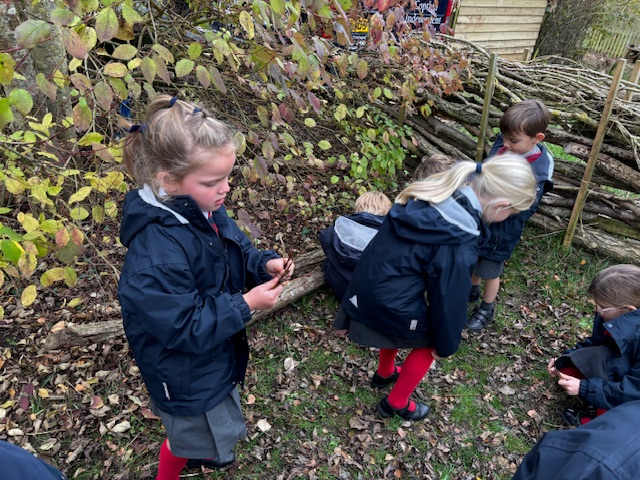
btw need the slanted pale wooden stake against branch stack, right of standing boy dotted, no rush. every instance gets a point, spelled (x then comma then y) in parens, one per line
(593, 155)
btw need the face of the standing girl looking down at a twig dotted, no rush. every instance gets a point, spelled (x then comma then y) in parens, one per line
(208, 185)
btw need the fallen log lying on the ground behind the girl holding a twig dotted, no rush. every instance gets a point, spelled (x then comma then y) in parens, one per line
(99, 332)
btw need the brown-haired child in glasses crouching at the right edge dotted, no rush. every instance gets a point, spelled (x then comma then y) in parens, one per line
(604, 369)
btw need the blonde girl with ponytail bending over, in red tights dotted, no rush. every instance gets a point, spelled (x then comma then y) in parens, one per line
(410, 287)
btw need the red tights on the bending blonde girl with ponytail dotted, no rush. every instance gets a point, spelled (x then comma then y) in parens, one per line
(413, 370)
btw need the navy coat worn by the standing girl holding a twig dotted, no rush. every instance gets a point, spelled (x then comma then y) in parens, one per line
(181, 291)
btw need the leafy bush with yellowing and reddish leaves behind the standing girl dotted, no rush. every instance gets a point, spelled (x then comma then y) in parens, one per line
(280, 71)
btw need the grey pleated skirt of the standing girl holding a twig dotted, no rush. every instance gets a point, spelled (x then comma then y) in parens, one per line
(212, 434)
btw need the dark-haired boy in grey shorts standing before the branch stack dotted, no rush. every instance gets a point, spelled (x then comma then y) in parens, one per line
(522, 130)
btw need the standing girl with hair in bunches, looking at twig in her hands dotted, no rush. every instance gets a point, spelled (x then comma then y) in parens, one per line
(183, 288)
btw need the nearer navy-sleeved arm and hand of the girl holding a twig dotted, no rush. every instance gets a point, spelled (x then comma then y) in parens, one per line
(161, 297)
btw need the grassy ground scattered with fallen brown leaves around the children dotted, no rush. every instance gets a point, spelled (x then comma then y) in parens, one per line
(309, 409)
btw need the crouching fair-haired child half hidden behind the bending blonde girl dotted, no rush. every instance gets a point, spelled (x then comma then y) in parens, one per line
(344, 241)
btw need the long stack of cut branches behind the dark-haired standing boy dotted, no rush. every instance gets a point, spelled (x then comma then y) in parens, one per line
(575, 97)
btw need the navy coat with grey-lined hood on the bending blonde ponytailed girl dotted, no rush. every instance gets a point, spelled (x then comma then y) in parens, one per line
(420, 248)
